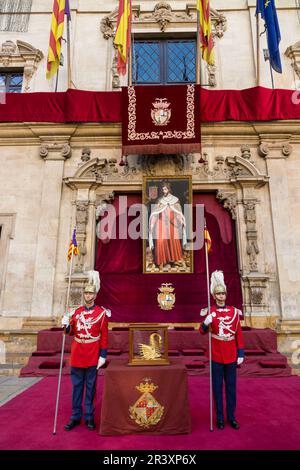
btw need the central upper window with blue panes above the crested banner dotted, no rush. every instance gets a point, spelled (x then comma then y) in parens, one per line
(170, 61)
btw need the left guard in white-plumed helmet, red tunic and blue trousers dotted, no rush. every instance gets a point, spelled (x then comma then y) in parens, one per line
(89, 326)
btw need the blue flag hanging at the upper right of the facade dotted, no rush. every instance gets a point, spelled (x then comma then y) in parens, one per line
(268, 12)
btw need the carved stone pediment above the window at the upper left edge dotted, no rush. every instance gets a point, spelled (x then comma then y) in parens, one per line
(21, 55)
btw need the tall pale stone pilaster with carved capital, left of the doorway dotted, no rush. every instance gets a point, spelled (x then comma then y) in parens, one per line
(54, 155)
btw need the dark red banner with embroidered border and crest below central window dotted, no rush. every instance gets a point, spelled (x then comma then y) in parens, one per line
(161, 119)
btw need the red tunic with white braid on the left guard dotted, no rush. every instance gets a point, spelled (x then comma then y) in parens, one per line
(87, 325)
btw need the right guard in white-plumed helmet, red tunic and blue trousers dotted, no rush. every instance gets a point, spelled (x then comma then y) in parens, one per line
(227, 348)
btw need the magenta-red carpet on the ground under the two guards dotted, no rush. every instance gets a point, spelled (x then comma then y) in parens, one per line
(268, 411)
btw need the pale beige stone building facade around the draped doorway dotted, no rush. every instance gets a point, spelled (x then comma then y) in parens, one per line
(54, 174)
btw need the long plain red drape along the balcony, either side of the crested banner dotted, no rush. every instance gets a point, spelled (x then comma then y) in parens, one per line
(252, 104)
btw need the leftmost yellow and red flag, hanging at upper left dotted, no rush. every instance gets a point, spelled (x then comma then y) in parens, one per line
(56, 32)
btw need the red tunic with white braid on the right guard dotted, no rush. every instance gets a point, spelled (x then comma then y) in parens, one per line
(225, 324)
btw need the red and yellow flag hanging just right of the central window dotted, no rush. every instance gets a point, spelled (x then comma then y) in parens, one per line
(206, 38)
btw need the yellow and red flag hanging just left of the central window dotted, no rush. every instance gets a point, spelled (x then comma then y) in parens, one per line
(123, 33)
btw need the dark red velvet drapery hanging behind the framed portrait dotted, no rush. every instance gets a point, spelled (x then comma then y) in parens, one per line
(132, 295)
